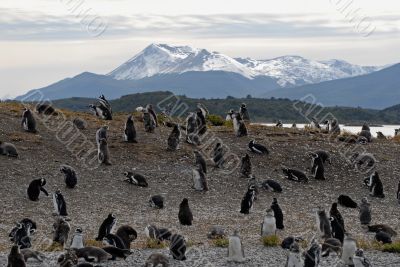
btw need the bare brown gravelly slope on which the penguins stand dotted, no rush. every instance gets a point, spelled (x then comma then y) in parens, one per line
(101, 189)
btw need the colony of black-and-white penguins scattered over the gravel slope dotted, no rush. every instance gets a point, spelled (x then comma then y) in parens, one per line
(330, 226)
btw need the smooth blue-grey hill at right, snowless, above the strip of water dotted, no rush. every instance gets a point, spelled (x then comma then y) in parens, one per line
(377, 90)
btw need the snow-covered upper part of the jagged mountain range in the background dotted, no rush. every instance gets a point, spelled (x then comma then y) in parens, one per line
(288, 71)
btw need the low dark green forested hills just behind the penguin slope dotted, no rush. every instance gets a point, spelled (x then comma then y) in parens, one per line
(261, 110)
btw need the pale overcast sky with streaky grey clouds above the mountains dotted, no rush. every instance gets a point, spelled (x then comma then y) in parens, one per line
(44, 41)
